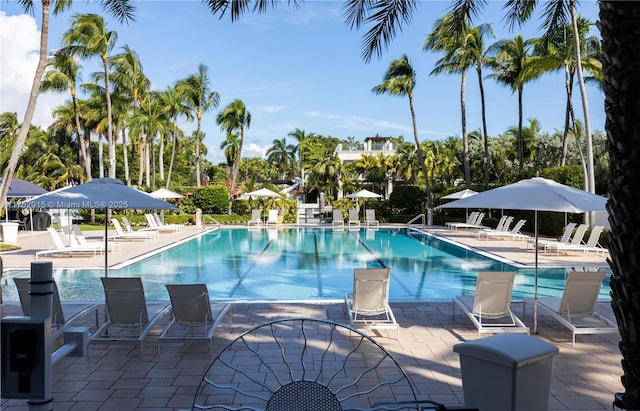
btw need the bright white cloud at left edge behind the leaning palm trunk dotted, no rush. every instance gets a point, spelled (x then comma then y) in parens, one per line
(20, 44)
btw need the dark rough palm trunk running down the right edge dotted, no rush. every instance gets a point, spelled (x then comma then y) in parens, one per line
(621, 60)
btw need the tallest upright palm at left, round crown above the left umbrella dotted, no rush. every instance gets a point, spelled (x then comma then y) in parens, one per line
(88, 37)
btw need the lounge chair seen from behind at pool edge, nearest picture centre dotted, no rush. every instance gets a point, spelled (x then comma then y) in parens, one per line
(368, 304)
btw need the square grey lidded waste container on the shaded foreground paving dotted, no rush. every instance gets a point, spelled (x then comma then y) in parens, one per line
(506, 372)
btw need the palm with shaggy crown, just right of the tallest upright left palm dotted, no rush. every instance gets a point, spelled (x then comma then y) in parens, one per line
(129, 80)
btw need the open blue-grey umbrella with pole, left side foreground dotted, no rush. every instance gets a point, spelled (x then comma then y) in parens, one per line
(99, 193)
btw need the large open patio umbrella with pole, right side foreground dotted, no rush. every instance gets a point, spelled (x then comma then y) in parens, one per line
(536, 194)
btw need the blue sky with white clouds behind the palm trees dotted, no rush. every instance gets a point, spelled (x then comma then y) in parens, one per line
(293, 68)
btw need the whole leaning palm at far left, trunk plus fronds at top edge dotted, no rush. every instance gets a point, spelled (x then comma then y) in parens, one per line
(121, 9)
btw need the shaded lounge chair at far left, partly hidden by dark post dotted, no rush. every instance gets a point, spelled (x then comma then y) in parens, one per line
(63, 315)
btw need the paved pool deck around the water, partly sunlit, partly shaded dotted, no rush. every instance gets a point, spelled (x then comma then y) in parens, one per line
(116, 377)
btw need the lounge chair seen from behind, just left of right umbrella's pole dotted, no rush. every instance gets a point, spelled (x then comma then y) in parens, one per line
(490, 308)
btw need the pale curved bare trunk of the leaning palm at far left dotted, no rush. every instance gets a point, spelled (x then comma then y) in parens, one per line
(31, 105)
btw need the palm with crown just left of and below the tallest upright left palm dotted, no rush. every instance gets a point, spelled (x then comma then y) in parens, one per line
(62, 75)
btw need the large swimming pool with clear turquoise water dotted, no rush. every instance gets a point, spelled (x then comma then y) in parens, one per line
(303, 263)
